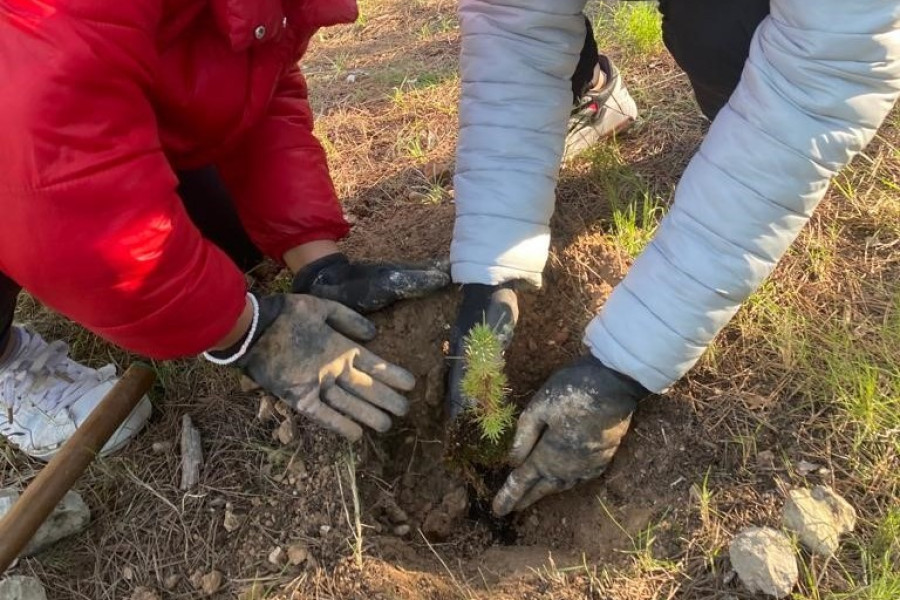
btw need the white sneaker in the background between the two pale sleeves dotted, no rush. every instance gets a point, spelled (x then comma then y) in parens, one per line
(600, 113)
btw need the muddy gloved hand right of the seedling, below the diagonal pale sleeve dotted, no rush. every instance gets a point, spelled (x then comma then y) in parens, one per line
(569, 432)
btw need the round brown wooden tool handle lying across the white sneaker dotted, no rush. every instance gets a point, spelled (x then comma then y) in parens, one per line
(51, 484)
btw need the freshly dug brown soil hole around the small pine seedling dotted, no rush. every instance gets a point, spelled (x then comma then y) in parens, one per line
(406, 478)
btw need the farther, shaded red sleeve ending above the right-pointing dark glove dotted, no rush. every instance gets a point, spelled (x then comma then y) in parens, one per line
(279, 176)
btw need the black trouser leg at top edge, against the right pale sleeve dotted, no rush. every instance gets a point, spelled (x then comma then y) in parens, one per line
(710, 40)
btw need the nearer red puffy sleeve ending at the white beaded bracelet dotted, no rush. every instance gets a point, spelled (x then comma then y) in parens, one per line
(91, 223)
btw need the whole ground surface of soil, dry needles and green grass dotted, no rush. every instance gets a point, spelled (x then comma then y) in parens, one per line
(804, 386)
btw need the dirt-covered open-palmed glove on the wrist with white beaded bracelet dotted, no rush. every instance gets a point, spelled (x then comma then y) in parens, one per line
(304, 353)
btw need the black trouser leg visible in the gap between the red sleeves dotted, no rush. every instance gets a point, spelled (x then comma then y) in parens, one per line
(212, 210)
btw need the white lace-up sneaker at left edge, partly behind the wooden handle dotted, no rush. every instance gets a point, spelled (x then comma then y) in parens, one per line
(45, 396)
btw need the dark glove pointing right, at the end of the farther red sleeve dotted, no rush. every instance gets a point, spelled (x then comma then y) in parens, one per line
(367, 287)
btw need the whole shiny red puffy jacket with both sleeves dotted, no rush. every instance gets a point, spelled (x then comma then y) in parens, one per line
(100, 101)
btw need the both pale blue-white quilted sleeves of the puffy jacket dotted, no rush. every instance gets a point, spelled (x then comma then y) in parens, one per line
(821, 77)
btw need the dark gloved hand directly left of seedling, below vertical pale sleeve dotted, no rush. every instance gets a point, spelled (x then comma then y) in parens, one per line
(496, 306)
